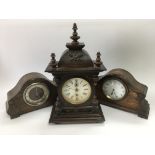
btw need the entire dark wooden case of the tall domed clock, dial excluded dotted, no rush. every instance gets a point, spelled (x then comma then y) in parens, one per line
(76, 62)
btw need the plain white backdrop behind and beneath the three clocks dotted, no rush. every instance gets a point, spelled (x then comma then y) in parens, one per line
(25, 46)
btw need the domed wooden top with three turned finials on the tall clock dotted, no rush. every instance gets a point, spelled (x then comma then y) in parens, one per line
(75, 58)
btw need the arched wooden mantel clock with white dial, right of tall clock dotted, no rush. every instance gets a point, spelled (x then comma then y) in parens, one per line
(119, 89)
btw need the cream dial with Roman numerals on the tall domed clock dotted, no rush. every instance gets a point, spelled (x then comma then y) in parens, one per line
(76, 91)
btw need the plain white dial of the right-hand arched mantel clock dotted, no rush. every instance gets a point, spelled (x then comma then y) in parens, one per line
(114, 89)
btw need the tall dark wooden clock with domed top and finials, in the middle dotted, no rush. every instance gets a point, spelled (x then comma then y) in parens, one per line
(76, 76)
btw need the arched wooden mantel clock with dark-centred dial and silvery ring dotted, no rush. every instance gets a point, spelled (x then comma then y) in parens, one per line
(32, 92)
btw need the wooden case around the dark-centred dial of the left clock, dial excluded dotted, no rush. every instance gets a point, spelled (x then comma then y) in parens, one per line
(16, 106)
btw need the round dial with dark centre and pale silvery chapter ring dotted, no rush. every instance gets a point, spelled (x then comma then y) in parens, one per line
(36, 94)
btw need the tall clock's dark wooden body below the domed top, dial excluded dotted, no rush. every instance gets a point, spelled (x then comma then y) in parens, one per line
(88, 112)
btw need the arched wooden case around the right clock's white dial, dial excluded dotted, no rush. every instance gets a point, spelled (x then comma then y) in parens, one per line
(134, 101)
